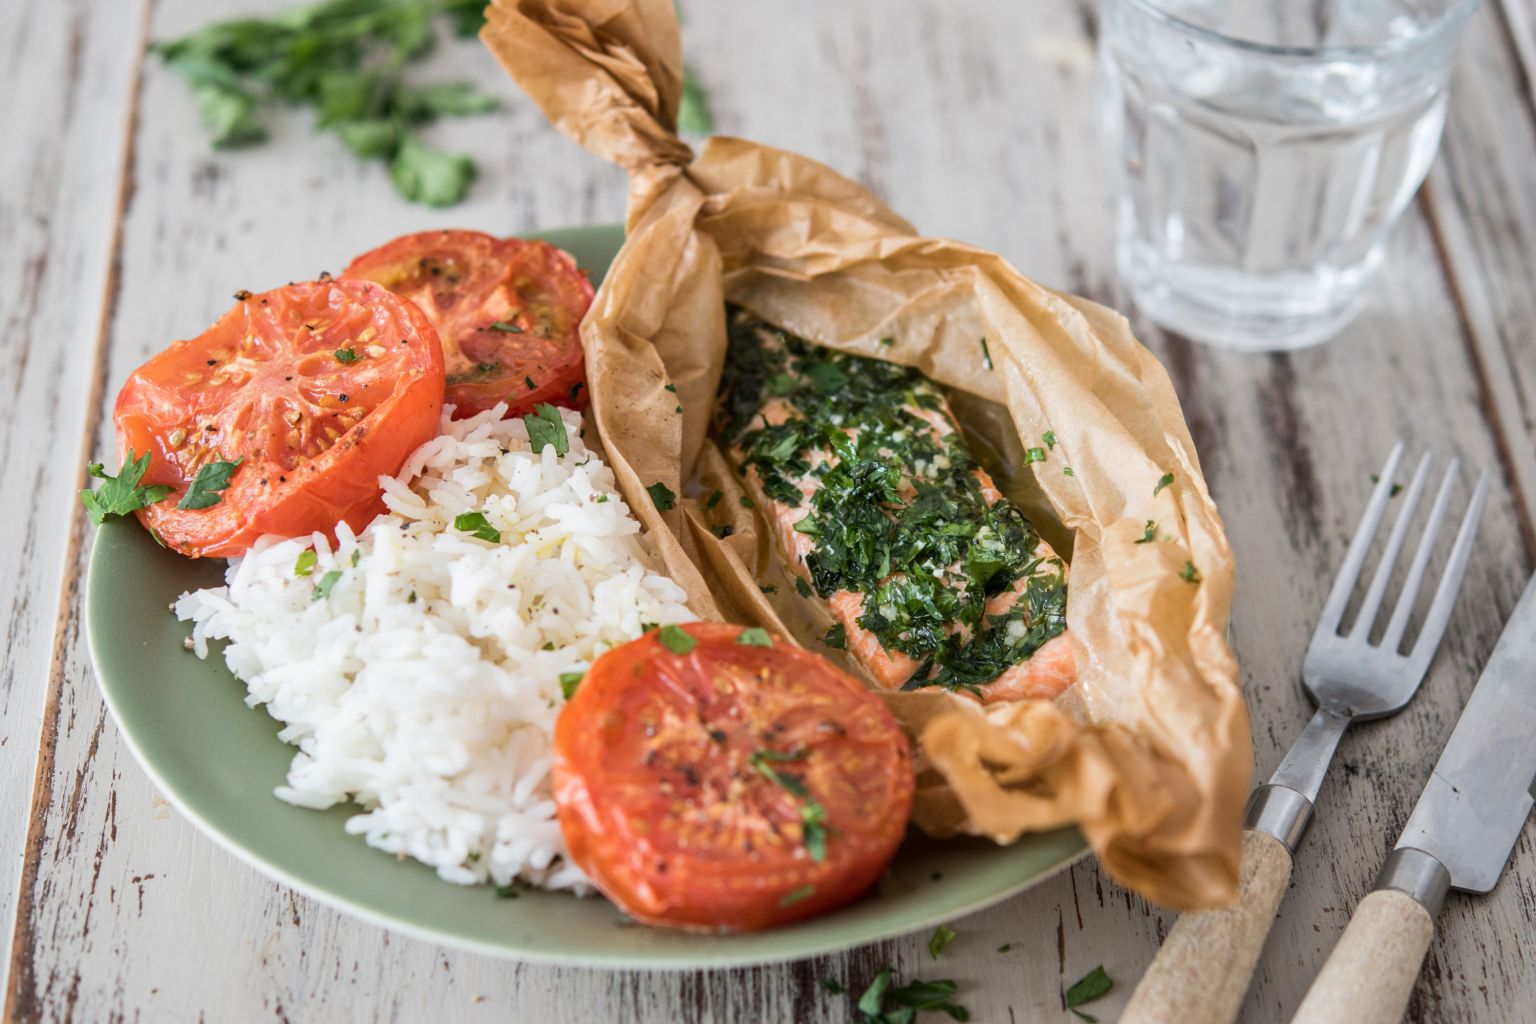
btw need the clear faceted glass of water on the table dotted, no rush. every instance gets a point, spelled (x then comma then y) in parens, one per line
(1265, 150)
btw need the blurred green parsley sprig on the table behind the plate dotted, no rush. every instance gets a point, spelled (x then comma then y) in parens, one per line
(346, 61)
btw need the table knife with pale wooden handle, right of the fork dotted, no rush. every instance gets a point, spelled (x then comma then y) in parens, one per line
(1460, 837)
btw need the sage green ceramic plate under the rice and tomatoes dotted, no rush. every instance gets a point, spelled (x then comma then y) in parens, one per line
(219, 761)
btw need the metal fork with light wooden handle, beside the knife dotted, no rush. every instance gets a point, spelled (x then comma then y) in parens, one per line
(1203, 969)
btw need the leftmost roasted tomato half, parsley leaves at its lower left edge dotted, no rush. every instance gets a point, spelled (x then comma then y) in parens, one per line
(317, 389)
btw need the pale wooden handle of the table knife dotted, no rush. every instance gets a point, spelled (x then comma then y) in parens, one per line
(1371, 974)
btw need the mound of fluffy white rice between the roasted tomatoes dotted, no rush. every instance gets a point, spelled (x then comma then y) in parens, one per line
(426, 685)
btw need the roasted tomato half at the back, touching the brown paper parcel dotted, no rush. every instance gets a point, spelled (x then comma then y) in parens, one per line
(509, 314)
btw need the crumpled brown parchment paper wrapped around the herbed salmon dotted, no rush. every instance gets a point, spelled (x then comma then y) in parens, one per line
(1150, 751)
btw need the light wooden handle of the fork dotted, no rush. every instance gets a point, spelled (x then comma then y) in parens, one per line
(1205, 966)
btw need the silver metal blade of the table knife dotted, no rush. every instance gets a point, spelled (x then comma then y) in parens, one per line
(1477, 802)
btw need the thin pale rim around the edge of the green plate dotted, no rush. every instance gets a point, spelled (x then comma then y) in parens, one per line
(523, 954)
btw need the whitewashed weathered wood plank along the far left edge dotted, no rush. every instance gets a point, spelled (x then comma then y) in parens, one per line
(65, 87)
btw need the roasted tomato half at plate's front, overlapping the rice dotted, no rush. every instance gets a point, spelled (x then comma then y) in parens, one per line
(730, 787)
